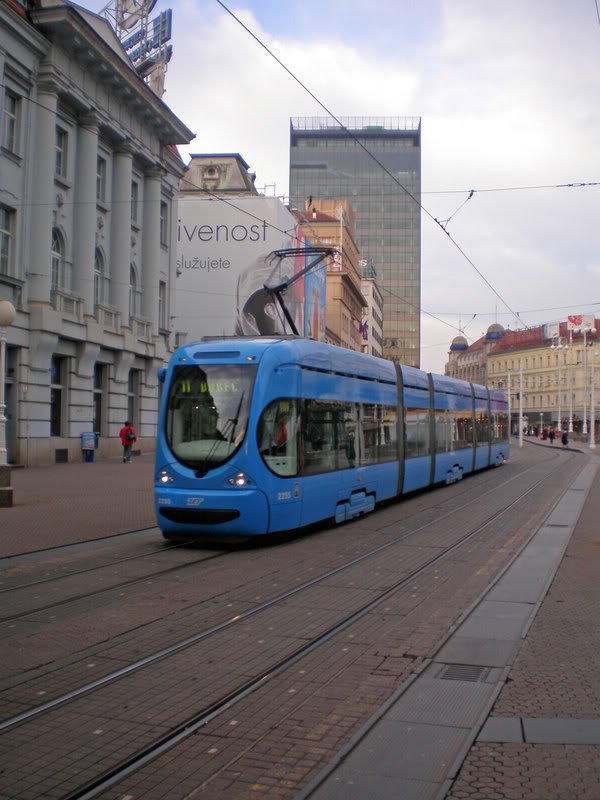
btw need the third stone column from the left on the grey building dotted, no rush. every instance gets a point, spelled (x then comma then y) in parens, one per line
(120, 238)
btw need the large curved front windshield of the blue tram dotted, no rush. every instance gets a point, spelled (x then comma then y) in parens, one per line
(207, 412)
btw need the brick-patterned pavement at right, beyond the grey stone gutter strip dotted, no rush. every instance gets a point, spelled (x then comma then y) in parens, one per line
(555, 678)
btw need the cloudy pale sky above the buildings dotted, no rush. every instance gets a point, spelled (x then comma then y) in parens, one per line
(508, 95)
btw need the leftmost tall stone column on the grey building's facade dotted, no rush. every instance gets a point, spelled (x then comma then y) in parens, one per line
(43, 194)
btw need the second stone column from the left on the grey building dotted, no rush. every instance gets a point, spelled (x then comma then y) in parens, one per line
(85, 215)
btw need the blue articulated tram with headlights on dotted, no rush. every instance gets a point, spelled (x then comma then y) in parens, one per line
(258, 435)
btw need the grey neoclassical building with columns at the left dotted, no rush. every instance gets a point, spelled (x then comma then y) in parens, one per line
(89, 174)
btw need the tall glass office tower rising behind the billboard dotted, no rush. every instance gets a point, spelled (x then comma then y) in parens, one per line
(327, 160)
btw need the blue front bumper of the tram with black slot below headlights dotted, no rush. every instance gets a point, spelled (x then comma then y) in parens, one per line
(243, 512)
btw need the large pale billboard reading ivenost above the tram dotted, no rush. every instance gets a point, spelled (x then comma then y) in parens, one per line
(224, 260)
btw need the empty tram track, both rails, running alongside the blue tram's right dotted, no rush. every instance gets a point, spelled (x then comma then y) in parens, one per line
(218, 705)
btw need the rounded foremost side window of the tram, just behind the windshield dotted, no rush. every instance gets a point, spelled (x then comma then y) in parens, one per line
(277, 436)
